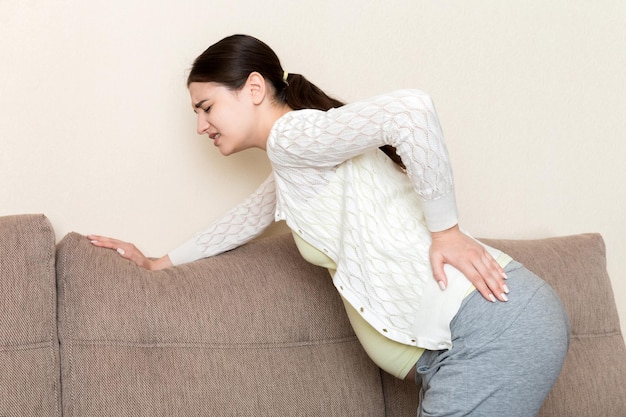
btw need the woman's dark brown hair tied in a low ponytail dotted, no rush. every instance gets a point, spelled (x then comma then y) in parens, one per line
(231, 60)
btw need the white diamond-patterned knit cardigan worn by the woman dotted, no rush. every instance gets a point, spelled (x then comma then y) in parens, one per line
(337, 191)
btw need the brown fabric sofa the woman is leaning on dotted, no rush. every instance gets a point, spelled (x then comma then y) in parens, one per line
(253, 332)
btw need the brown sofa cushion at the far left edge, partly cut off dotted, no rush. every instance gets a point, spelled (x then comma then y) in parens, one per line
(29, 365)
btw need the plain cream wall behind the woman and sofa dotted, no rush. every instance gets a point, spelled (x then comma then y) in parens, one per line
(97, 132)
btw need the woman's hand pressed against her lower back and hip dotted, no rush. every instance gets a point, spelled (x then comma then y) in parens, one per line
(453, 247)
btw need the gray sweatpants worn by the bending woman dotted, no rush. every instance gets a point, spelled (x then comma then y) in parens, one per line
(505, 356)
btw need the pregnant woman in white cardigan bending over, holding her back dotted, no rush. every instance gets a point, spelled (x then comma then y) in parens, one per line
(384, 224)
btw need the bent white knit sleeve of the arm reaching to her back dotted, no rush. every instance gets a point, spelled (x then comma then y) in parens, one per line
(405, 119)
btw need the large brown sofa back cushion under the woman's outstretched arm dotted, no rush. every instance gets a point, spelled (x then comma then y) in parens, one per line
(255, 331)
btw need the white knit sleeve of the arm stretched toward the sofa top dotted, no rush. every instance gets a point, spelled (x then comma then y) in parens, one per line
(236, 227)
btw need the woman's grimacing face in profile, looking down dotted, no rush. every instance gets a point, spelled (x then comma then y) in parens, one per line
(228, 117)
